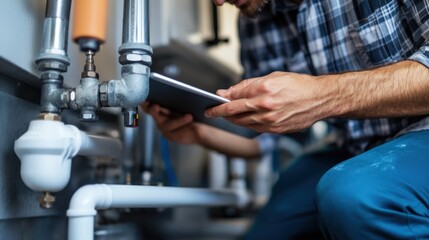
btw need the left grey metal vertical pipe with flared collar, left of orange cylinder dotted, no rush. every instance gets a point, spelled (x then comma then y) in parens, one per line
(55, 31)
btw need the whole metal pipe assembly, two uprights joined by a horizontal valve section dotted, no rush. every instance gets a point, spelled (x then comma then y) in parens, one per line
(128, 92)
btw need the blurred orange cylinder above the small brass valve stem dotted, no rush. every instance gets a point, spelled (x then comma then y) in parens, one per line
(89, 19)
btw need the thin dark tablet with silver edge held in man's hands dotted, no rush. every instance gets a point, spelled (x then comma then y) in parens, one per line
(183, 98)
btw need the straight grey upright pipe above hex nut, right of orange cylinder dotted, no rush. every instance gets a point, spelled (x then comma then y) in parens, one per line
(136, 22)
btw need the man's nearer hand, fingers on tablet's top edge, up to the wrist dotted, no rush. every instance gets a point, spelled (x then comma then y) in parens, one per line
(278, 103)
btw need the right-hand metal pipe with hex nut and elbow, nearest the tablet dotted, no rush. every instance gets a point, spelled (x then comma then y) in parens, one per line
(135, 54)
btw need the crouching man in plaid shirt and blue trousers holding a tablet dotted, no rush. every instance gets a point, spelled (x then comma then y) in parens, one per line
(363, 66)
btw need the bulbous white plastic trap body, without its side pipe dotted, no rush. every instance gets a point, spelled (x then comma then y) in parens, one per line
(45, 151)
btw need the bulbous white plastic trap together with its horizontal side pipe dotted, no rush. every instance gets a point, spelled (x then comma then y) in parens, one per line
(47, 148)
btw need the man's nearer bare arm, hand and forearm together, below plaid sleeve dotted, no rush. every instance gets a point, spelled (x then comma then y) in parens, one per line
(286, 102)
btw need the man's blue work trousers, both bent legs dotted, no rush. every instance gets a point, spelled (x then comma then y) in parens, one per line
(380, 194)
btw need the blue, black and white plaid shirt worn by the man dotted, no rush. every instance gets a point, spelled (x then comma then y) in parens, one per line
(332, 36)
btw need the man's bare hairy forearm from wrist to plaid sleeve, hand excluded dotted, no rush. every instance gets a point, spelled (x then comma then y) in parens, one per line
(397, 90)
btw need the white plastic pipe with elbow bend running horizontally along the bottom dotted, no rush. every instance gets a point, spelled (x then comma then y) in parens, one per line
(88, 198)
